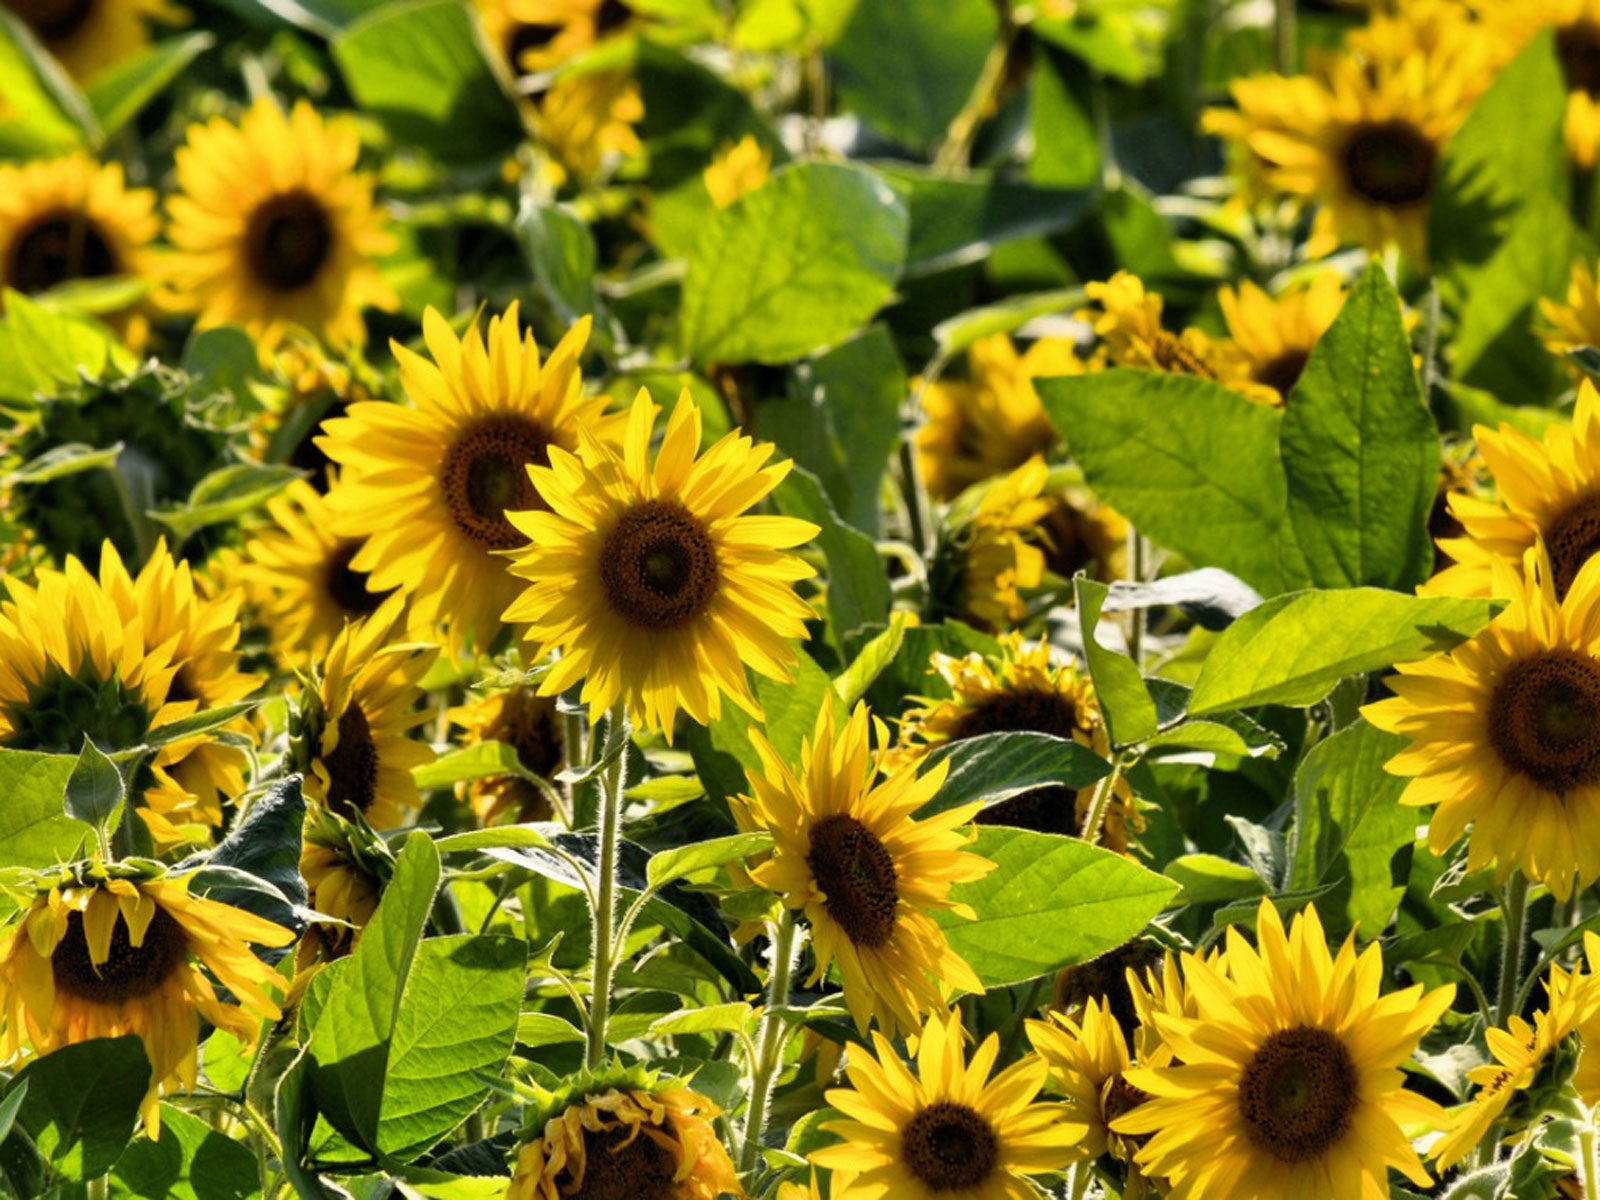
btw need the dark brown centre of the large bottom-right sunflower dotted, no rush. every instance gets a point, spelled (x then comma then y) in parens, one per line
(1298, 1095)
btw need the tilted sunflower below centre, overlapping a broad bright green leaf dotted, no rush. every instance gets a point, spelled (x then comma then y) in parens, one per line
(865, 871)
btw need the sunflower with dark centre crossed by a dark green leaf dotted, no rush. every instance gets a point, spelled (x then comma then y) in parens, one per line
(1023, 692)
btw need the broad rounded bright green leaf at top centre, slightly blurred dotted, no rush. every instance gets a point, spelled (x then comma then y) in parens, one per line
(794, 266)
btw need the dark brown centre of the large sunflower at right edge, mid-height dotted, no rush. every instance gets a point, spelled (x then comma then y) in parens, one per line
(1545, 719)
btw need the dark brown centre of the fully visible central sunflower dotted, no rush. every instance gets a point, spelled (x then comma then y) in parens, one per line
(658, 566)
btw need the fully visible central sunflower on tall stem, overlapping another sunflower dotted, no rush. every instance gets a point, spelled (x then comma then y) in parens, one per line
(654, 582)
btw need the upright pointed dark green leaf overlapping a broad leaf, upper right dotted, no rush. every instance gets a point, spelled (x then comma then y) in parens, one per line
(1361, 450)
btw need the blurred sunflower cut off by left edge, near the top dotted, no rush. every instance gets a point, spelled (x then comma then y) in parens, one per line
(74, 220)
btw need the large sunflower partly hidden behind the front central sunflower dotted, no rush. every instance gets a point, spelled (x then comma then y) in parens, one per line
(433, 489)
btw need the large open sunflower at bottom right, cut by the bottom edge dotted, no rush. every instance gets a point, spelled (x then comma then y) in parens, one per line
(1287, 1081)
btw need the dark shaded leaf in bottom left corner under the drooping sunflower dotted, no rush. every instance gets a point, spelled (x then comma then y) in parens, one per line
(82, 1103)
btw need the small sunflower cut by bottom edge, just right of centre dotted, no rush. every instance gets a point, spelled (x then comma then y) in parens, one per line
(946, 1130)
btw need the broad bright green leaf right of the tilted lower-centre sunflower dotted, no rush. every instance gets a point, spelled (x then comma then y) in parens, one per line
(1050, 903)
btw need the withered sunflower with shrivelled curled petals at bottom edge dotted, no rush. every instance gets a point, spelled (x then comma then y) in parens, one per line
(652, 1143)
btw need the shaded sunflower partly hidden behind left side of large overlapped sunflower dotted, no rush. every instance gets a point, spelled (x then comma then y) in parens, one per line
(298, 577)
